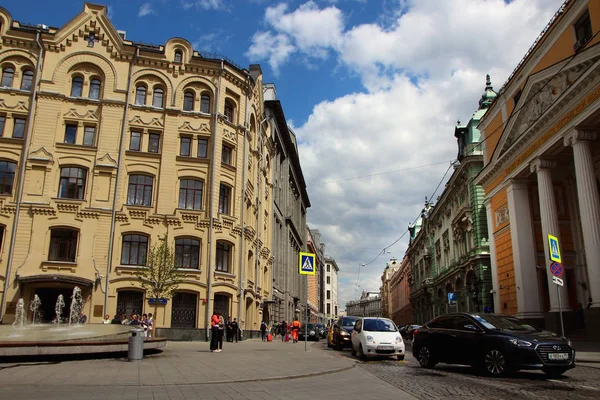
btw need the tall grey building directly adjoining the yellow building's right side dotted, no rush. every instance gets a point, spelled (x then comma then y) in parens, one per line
(290, 201)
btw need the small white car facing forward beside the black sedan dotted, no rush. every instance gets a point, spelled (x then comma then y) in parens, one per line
(377, 337)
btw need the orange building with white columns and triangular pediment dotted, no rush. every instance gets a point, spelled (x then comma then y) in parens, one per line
(542, 175)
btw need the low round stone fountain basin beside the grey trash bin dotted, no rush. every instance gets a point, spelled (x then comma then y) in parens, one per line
(50, 339)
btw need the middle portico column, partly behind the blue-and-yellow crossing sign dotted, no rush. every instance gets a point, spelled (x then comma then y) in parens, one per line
(550, 225)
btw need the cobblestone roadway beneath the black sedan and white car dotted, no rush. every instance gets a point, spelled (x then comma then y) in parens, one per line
(458, 382)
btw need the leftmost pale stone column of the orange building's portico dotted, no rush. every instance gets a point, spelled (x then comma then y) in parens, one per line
(523, 248)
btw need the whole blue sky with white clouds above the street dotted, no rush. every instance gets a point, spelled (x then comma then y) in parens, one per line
(372, 90)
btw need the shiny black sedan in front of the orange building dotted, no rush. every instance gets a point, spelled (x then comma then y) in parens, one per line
(496, 343)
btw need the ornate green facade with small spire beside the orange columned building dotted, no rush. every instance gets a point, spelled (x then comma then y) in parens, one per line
(448, 250)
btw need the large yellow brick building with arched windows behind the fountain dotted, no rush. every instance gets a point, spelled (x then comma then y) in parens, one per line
(107, 145)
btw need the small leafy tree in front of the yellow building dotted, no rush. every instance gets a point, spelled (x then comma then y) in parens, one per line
(159, 277)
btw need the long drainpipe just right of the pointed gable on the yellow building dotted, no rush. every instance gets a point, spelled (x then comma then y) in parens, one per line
(113, 218)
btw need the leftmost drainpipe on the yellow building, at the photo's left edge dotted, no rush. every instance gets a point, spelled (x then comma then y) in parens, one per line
(23, 162)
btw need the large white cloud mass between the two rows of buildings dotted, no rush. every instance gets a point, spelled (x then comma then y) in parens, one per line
(423, 66)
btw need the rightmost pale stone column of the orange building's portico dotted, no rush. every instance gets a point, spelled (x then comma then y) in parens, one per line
(589, 206)
